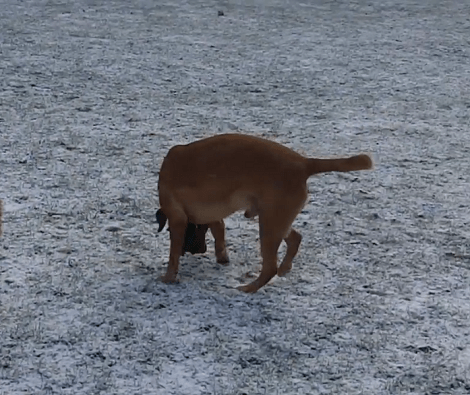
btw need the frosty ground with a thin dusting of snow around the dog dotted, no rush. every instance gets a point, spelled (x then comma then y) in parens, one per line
(92, 96)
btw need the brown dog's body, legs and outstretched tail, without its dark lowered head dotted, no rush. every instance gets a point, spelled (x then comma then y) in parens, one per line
(206, 181)
